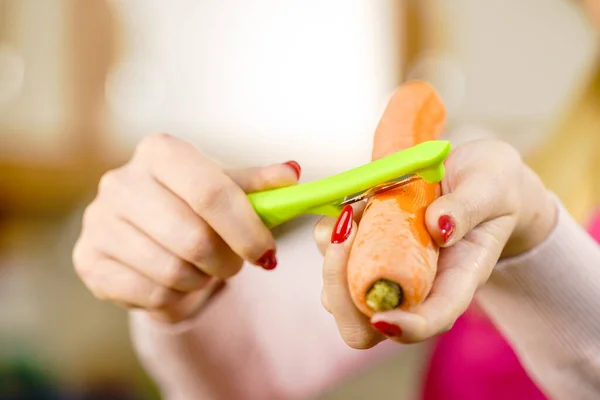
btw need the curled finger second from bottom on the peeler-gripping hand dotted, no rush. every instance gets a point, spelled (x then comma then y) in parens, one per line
(123, 242)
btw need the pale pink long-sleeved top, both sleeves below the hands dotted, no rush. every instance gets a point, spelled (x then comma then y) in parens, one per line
(267, 337)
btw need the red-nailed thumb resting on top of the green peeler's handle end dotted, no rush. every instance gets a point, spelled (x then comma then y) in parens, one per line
(264, 178)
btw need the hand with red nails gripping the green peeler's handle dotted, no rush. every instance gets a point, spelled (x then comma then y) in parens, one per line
(169, 226)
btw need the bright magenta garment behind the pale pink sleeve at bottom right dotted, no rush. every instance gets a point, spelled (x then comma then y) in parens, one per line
(459, 369)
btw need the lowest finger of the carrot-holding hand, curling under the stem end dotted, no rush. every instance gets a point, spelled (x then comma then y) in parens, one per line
(462, 269)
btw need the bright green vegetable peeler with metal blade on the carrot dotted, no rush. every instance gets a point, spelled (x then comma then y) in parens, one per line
(328, 196)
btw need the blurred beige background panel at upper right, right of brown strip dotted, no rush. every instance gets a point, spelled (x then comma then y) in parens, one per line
(518, 62)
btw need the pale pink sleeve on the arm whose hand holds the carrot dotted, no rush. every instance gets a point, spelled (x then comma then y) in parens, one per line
(547, 304)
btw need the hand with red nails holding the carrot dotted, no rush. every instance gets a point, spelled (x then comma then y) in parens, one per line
(492, 206)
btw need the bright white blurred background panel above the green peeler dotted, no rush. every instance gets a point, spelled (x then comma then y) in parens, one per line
(232, 68)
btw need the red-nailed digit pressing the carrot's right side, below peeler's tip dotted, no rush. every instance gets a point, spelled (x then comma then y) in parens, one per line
(473, 195)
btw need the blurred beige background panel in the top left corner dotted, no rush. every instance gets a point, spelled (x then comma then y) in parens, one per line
(34, 98)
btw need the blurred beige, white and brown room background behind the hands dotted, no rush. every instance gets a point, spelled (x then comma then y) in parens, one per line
(82, 81)
